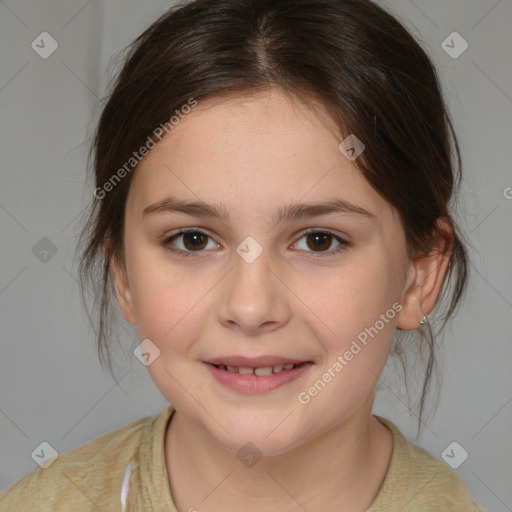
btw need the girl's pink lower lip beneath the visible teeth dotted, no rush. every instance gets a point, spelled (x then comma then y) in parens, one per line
(251, 384)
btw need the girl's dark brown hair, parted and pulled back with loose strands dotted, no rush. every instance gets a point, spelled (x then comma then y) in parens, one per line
(351, 55)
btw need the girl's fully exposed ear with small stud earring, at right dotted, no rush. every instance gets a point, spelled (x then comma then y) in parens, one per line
(425, 278)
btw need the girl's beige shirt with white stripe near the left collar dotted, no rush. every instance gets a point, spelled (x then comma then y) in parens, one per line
(90, 477)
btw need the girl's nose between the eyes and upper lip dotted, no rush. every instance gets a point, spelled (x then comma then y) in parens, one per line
(253, 298)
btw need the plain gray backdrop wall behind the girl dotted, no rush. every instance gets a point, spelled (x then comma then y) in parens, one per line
(52, 386)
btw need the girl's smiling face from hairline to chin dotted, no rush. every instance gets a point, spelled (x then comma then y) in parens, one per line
(270, 281)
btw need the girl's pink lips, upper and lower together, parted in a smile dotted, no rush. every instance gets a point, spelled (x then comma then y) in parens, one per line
(252, 384)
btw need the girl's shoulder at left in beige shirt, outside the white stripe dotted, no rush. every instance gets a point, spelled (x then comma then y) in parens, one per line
(85, 478)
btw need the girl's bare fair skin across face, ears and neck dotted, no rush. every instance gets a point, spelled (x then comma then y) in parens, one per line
(253, 154)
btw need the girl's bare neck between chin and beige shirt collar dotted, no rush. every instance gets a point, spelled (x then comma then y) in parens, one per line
(345, 466)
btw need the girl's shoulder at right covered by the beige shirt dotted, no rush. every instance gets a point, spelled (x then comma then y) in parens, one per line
(419, 480)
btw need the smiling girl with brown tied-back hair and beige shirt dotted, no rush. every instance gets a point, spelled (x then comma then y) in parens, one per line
(271, 207)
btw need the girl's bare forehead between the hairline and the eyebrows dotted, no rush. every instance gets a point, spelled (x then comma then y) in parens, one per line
(253, 152)
